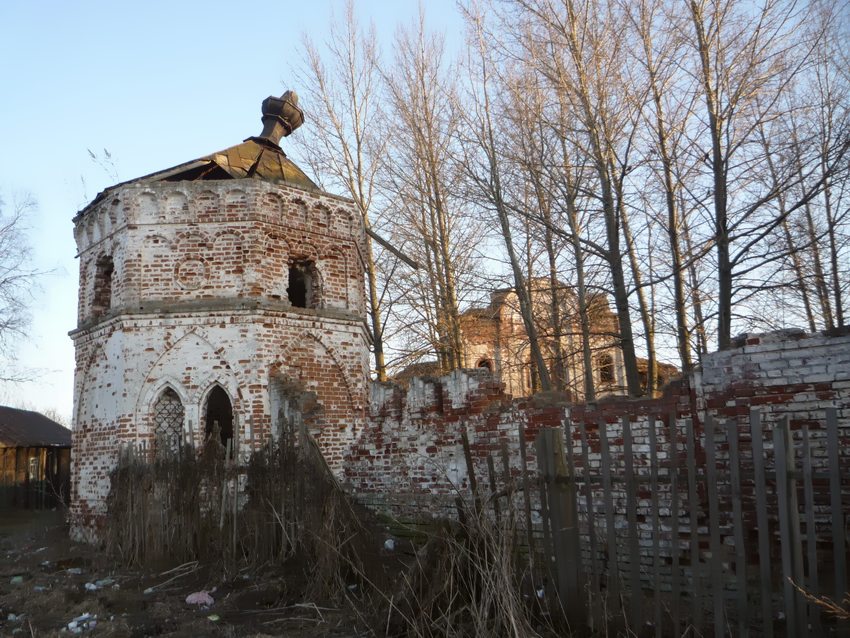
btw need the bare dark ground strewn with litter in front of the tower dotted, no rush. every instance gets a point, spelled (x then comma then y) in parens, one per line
(47, 581)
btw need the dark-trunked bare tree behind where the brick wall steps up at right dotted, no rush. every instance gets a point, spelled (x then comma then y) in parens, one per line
(748, 56)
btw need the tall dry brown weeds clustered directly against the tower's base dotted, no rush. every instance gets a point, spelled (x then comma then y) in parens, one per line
(283, 505)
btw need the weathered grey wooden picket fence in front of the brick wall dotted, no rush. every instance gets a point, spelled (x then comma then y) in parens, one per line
(661, 528)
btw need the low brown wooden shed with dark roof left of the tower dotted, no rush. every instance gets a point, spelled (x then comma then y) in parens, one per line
(35, 460)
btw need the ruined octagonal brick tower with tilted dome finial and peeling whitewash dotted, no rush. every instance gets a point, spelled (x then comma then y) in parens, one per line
(215, 296)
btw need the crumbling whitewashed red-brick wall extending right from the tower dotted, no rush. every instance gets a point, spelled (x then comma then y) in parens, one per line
(409, 461)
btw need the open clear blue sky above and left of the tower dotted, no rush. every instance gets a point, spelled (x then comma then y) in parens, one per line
(156, 83)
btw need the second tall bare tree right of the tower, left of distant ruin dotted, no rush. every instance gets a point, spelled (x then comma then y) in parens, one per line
(421, 129)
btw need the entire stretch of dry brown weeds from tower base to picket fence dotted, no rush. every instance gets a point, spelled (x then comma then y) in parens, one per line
(468, 579)
